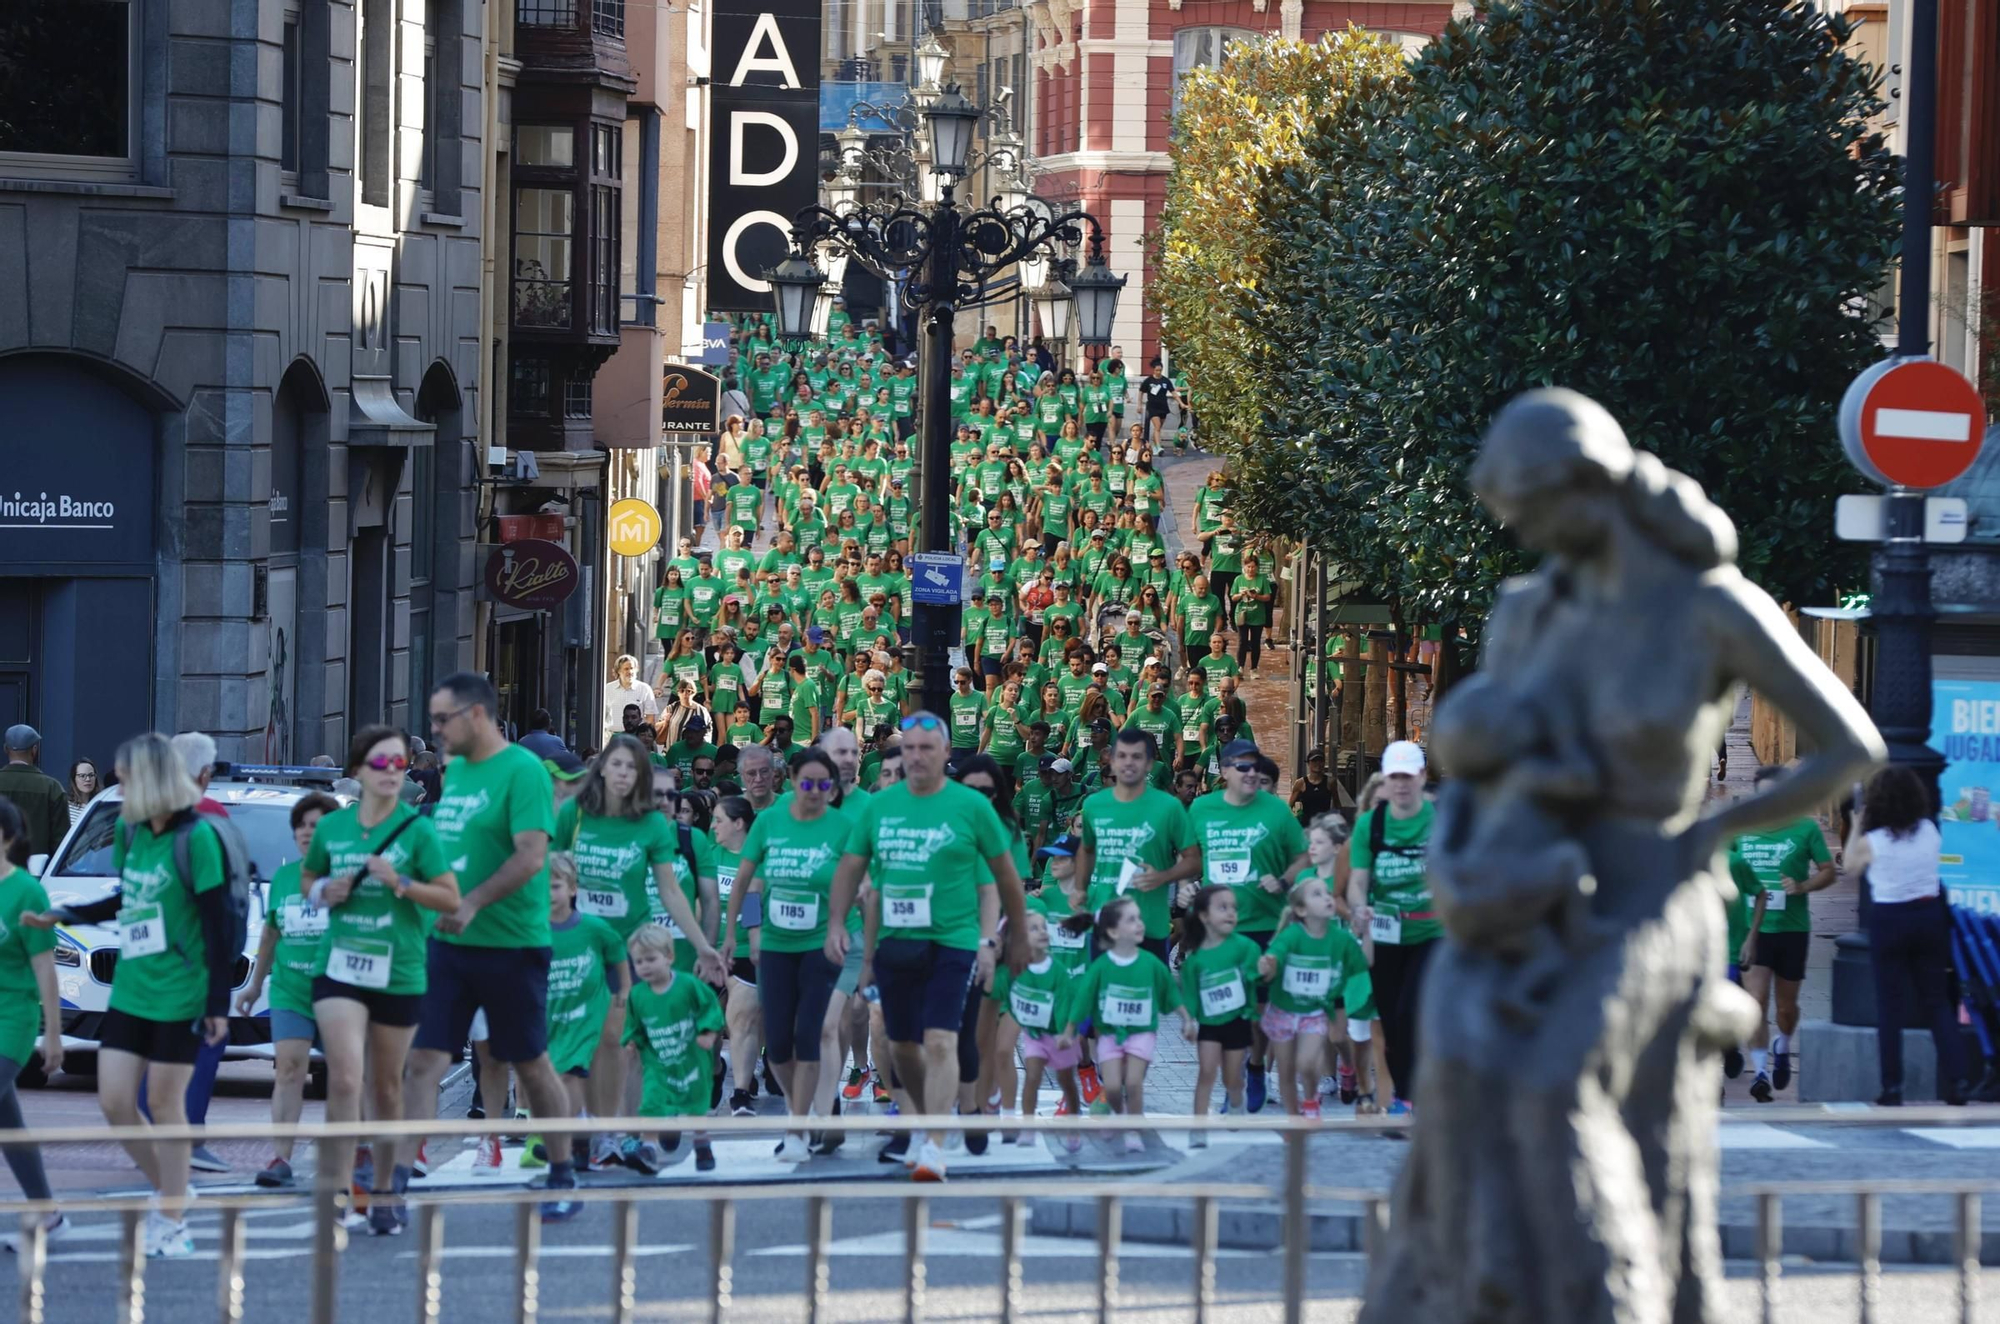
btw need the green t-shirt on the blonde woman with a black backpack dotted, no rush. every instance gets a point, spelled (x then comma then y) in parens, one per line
(163, 961)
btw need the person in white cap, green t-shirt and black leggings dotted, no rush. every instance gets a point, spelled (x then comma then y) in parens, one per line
(1389, 891)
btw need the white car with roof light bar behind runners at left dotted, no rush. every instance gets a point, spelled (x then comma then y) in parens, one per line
(259, 801)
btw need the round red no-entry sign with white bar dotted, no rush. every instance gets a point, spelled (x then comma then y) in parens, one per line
(1913, 423)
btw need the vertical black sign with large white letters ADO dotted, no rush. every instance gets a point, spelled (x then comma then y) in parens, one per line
(765, 145)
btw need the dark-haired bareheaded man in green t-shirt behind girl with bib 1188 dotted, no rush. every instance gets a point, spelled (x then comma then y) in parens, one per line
(1137, 841)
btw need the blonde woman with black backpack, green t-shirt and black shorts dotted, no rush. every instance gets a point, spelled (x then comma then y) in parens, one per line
(177, 955)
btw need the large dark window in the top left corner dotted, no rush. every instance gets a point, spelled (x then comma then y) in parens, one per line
(69, 87)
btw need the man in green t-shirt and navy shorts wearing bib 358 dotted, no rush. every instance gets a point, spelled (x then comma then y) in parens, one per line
(921, 843)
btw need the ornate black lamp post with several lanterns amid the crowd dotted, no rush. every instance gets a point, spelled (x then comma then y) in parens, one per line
(951, 255)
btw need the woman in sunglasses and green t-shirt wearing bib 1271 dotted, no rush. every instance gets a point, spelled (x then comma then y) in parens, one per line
(379, 871)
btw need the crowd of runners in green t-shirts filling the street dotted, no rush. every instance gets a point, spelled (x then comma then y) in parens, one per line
(781, 875)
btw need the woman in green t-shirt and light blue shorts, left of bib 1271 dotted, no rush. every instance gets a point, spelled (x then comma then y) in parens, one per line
(285, 955)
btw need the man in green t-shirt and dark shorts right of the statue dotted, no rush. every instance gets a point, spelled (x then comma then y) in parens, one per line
(1789, 865)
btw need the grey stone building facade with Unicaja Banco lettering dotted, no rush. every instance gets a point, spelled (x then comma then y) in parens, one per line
(241, 371)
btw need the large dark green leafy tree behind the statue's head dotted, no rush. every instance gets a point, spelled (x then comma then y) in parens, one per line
(1675, 207)
